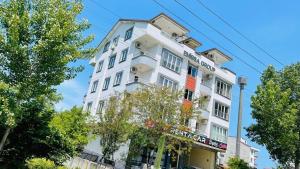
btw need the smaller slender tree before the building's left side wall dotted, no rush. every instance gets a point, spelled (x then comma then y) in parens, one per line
(114, 126)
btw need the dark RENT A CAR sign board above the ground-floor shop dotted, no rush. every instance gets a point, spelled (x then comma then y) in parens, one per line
(199, 138)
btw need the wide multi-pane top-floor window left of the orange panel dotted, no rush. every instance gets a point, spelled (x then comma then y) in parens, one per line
(171, 61)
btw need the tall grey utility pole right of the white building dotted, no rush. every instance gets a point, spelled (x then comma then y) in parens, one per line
(242, 82)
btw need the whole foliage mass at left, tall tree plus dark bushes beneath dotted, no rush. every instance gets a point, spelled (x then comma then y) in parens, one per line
(38, 41)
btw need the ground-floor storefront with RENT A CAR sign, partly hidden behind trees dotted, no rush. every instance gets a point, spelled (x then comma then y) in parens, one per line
(201, 155)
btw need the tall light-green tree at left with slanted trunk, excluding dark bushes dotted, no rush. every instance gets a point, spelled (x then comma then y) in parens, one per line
(38, 40)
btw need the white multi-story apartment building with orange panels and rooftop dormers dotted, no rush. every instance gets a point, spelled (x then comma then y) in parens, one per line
(159, 51)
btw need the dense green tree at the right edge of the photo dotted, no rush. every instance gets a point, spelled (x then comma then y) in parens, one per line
(276, 109)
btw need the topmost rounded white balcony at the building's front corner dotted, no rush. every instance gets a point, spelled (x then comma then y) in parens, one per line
(143, 62)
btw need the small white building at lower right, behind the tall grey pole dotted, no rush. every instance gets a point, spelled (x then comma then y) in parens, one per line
(248, 153)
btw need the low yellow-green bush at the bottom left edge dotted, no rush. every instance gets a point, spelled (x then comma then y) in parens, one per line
(42, 163)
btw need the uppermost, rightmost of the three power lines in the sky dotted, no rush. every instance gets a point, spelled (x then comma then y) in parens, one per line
(238, 32)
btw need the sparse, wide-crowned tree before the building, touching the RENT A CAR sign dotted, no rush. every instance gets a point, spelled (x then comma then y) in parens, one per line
(157, 111)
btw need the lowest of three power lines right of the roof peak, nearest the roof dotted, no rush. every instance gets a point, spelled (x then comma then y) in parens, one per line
(207, 37)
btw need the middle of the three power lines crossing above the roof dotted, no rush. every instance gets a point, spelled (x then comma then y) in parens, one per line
(221, 34)
